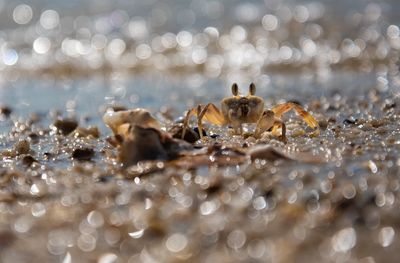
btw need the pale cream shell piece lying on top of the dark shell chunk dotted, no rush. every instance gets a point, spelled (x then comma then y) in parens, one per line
(137, 116)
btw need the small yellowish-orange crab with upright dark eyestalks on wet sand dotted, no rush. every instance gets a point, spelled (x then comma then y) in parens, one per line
(237, 110)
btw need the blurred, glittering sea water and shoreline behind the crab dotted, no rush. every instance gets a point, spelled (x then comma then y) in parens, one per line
(77, 56)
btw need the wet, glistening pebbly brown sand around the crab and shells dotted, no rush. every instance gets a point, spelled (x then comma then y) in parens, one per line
(56, 204)
